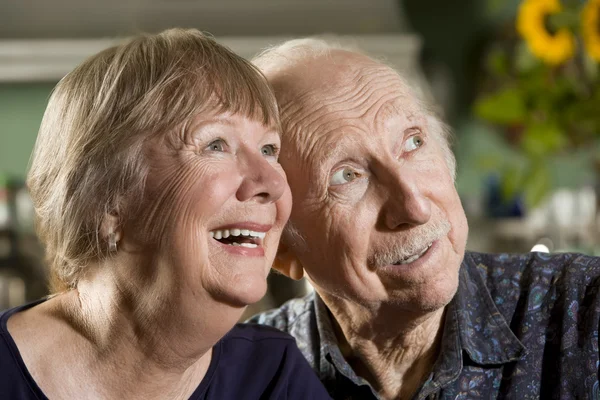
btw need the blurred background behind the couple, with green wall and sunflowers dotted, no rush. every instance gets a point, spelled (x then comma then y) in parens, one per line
(517, 81)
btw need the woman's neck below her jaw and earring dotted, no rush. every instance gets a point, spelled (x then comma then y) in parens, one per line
(150, 314)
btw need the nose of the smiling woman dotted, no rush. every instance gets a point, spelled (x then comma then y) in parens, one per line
(261, 181)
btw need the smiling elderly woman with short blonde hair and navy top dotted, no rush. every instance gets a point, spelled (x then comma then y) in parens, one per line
(160, 201)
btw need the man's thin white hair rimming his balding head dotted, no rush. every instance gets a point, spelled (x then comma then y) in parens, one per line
(291, 53)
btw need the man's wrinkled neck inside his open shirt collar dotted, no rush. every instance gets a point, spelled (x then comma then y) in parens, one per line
(393, 349)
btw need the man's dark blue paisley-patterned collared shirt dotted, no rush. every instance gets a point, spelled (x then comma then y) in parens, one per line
(519, 327)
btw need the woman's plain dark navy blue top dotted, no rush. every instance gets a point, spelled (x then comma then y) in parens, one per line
(250, 362)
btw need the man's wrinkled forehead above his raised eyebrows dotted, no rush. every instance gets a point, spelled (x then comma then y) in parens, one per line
(338, 92)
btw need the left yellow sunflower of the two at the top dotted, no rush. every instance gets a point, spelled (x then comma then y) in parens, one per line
(552, 48)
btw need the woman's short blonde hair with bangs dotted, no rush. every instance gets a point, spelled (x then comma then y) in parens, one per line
(88, 159)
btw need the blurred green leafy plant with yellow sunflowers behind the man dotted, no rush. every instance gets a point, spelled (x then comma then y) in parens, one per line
(542, 88)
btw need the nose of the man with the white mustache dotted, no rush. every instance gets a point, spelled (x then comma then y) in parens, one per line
(406, 205)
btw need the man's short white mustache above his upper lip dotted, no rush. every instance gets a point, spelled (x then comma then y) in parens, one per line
(410, 242)
